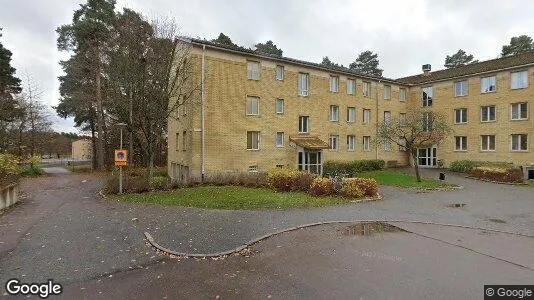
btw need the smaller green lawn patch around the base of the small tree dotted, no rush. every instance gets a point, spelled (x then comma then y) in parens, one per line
(403, 180)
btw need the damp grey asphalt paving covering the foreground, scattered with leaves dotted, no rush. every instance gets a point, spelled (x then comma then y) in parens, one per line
(95, 248)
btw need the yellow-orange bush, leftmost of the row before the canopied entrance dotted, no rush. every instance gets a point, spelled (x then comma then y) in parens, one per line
(285, 180)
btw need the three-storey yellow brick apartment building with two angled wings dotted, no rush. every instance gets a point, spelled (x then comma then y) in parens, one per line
(254, 112)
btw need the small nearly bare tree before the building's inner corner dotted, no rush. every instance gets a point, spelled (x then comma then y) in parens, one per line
(420, 129)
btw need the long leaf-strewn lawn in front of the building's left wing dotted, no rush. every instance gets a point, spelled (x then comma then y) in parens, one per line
(232, 197)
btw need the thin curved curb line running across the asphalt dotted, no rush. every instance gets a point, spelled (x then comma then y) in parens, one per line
(244, 246)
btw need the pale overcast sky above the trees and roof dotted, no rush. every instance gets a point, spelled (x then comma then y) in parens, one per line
(405, 34)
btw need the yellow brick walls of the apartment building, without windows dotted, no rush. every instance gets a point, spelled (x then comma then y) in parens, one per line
(226, 88)
